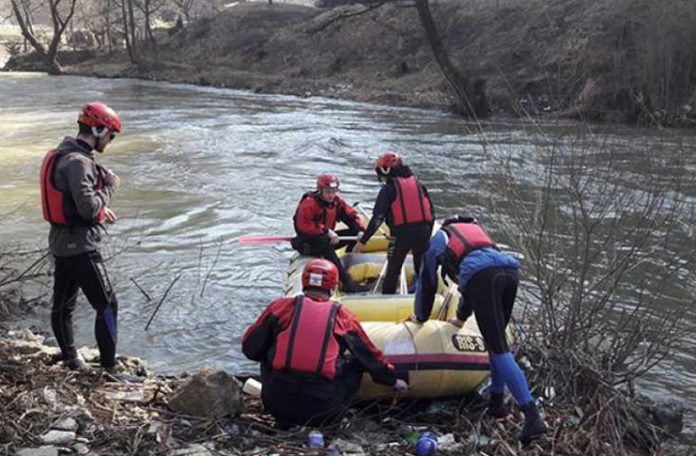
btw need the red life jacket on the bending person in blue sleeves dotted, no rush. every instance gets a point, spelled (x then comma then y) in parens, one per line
(464, 238)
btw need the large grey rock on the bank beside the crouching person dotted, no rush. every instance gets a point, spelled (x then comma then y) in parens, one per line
(211, 393)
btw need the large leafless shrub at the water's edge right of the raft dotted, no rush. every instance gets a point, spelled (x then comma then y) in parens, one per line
(602, 237)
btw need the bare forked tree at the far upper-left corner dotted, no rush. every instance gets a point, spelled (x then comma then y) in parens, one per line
(60, 18)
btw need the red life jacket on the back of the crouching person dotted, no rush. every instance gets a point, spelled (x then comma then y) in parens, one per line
(308, 344)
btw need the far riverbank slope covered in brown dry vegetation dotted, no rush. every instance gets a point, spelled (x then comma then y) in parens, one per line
(611, 61)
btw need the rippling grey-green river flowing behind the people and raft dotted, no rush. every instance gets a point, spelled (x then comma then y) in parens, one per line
(201, 166)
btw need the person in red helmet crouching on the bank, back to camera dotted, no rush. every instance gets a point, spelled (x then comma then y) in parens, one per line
(313, 352)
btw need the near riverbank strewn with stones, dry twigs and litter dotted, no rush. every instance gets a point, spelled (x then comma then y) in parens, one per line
(48, 408)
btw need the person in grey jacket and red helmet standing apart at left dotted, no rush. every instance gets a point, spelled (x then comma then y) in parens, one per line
(75, 195)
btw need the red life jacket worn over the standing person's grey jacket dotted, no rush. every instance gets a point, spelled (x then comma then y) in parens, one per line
(54, 203)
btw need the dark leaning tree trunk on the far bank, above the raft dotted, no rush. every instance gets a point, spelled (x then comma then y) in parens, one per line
(471, 98)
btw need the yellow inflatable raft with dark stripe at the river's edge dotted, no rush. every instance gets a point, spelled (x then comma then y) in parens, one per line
(441, 360)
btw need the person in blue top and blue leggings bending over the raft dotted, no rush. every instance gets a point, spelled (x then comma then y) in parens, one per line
(487, 280)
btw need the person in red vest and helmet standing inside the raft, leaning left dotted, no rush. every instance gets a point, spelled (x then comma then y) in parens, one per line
(405, 205)
